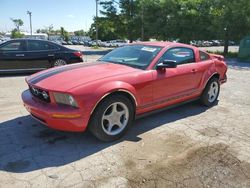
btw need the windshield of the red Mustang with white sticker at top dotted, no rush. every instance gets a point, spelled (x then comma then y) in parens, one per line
(136, 56)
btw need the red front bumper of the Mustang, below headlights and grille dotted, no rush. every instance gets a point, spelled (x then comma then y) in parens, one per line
(55, 116)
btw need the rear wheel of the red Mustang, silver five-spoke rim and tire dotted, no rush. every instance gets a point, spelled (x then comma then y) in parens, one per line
(211, 92)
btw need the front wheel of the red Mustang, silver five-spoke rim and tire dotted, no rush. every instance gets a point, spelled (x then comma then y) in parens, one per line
(112, 118)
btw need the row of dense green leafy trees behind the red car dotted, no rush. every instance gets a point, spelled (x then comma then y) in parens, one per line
(184, 20)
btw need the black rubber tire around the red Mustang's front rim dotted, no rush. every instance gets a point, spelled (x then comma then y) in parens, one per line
(97, 127)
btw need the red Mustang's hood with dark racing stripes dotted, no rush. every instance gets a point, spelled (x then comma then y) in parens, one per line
(67, 77)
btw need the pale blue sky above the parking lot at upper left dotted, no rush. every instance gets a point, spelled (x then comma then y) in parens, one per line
(71, 14)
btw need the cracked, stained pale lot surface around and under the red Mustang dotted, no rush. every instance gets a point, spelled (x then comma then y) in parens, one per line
(188, 146)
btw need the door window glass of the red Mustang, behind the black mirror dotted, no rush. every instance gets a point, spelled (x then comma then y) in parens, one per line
(181, 55)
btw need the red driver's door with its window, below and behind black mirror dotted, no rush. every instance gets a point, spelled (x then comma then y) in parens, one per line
(173, 83)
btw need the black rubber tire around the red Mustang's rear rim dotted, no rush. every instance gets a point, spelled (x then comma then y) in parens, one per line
(205, 97)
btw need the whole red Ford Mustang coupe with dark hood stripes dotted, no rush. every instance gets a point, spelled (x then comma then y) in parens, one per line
(105, 96)
